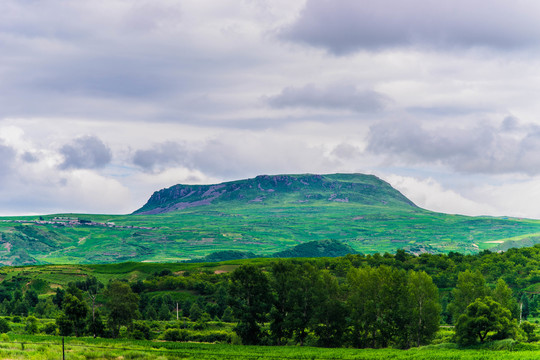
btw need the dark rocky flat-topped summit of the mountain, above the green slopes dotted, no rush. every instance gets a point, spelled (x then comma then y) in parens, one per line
(303, 188)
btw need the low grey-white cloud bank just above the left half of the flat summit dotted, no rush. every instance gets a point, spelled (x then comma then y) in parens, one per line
(230, 158)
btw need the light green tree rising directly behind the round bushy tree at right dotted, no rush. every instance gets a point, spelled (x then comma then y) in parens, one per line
(470, 286)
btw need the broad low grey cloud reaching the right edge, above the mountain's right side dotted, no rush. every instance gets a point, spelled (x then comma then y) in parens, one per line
(484, 148)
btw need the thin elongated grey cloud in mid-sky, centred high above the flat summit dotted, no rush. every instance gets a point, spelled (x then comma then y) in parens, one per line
(333, 97)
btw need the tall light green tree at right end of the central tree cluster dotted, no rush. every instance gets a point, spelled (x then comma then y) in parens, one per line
(424, 306)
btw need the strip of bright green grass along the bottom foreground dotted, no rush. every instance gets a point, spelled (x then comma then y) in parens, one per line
(49, 347)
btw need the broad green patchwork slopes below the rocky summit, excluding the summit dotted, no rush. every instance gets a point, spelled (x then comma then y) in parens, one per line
(189, 234)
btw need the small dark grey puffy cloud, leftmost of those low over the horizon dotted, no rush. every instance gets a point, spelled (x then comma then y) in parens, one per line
(87, 152)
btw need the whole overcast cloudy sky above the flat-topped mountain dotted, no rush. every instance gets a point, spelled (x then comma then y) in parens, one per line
(104, 102)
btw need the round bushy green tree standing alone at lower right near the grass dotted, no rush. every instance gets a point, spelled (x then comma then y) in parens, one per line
(481, 317)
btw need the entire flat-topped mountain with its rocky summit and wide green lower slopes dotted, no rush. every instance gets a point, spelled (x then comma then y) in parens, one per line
(264, 215)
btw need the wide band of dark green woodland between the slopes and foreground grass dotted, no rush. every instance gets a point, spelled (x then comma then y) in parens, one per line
(358, 301)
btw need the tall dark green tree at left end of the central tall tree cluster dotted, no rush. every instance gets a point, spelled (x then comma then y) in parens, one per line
(250, 300)
